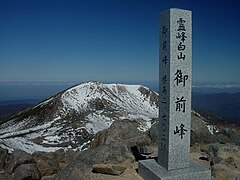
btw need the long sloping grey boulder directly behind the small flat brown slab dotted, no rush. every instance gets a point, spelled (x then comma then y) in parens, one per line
(115, 153)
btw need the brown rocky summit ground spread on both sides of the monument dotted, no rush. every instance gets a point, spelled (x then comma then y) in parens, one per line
(114, 154)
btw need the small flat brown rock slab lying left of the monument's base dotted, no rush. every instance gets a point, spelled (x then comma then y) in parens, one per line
(112, 169)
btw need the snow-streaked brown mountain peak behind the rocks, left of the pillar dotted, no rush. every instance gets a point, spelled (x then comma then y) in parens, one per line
(70, 119)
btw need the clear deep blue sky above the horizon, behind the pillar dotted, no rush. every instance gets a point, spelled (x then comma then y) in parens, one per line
(112, 40)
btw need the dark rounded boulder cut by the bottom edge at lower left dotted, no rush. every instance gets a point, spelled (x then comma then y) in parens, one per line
(26, 171)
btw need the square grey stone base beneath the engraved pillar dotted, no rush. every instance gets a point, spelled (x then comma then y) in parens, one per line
(151, 170)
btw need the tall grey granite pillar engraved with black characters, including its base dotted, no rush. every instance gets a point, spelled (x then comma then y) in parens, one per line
(174, 124)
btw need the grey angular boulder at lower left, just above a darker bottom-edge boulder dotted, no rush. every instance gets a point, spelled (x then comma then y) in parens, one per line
(17, 158)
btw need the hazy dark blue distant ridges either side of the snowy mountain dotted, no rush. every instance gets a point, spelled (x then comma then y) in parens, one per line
(223, 105)
